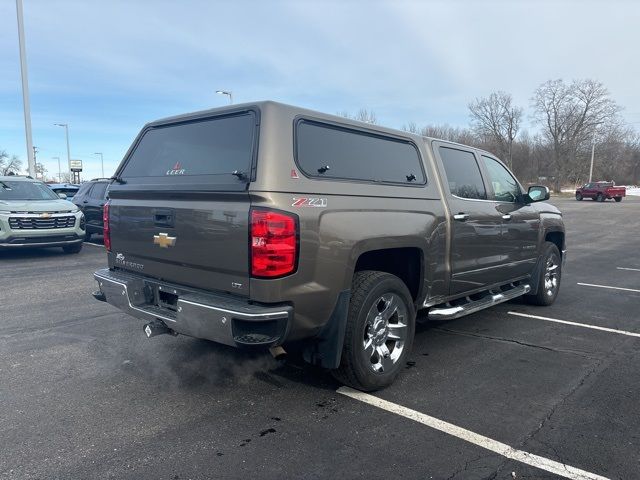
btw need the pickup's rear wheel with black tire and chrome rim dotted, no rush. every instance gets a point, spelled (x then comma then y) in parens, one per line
(370, 291)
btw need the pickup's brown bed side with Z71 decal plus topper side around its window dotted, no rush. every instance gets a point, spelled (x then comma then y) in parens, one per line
(354, 217)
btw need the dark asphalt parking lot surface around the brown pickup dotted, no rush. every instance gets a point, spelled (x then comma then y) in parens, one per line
(84, 394)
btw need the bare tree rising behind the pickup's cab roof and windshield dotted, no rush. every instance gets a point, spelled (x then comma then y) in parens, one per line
(496, 118)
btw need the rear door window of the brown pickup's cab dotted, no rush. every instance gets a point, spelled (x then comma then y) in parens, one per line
(463, 173)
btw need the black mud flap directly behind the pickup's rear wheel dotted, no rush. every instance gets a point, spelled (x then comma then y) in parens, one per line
(326, 350)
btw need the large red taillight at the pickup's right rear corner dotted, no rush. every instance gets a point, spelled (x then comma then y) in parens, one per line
(274, 243)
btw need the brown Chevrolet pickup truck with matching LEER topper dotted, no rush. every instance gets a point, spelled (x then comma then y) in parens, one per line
(270, 225)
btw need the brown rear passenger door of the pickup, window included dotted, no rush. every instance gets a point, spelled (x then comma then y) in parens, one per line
(477, 250)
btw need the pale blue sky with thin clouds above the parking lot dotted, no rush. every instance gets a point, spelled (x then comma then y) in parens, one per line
(108, 67)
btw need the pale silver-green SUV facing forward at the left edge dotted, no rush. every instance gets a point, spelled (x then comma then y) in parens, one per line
(32, 215)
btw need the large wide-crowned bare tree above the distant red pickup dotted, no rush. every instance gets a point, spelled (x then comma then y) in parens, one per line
(569, 116)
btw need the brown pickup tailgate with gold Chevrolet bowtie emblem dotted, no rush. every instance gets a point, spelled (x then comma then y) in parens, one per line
(202, 243)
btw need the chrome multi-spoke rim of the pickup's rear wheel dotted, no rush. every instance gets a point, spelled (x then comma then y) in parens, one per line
(385, 332)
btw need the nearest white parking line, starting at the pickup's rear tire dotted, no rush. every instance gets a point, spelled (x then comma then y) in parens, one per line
(505, 450)
